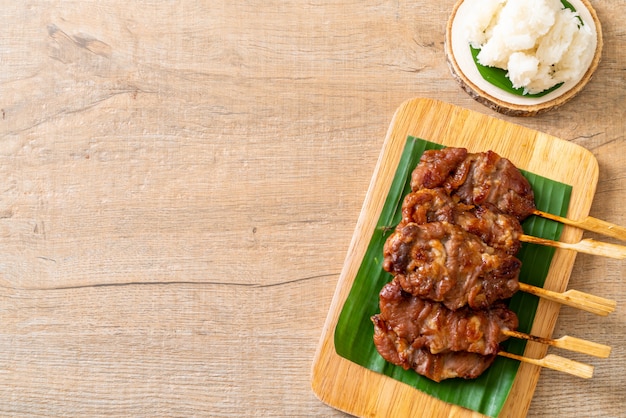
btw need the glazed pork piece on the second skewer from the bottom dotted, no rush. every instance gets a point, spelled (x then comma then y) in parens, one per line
(425, 324)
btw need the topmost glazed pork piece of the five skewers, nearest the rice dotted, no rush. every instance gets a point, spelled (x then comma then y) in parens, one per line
(476, 179)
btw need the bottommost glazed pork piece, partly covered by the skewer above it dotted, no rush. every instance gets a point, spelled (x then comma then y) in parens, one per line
(436, 367)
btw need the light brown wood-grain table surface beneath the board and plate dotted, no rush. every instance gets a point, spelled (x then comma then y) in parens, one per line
(180, 180)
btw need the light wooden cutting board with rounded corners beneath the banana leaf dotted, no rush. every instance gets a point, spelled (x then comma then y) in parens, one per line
(356, 390)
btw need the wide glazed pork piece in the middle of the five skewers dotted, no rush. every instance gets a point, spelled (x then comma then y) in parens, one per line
(442, 262)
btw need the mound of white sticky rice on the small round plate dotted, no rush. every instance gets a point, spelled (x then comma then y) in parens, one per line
(539, 42)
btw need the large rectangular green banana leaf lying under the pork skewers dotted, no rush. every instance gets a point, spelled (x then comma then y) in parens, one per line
(354, 332)
